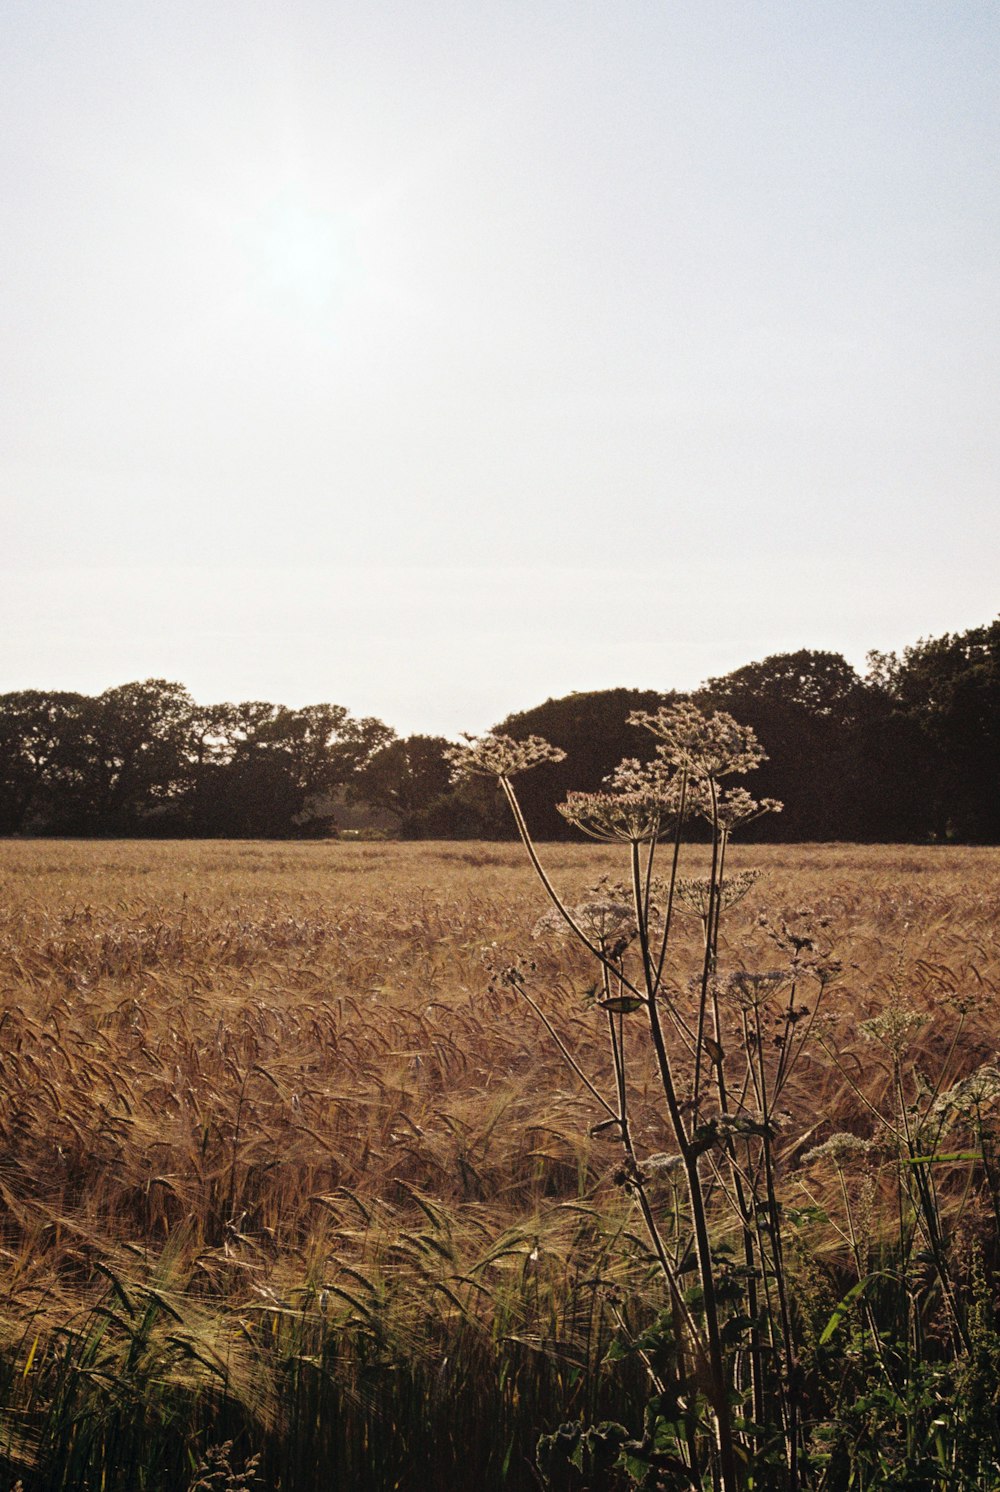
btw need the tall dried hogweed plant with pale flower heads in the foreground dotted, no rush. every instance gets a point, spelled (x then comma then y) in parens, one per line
(728, 1405)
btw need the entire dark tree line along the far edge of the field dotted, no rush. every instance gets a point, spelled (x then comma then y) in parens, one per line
(908, 751)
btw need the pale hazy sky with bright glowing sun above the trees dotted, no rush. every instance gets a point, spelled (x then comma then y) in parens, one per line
(440, 359)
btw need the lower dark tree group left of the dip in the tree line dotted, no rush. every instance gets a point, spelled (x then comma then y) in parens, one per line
(144, 759)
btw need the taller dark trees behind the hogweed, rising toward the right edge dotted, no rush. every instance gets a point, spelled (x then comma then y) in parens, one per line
(910, 751)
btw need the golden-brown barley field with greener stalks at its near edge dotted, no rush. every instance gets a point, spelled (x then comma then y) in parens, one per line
(301, 1191)
